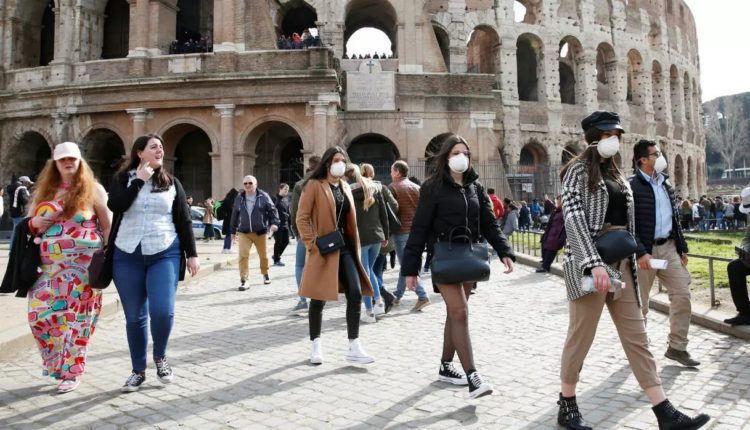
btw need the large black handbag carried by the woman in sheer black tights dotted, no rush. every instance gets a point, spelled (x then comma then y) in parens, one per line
(459, 260)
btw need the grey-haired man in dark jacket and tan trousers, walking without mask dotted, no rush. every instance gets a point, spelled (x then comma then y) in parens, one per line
(253, 214)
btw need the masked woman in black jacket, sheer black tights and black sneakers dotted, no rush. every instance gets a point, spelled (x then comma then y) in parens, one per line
(451, 198)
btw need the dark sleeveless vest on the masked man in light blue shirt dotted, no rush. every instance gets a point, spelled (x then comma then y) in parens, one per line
(645, 215)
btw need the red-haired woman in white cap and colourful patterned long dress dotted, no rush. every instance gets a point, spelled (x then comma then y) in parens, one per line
(69, 215)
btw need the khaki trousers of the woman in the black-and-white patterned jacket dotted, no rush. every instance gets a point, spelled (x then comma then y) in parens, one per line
(628, 319)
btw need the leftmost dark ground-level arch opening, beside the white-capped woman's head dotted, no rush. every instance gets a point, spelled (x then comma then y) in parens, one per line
(31, 150)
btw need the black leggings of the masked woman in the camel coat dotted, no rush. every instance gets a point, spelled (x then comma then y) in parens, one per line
(349, 277)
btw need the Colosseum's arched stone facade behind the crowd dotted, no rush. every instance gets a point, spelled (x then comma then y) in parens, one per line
(514, 77)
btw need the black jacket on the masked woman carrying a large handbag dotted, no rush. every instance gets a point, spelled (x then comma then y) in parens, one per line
(441, 208)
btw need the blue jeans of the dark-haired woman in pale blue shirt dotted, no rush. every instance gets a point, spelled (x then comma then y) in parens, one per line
(147, 285)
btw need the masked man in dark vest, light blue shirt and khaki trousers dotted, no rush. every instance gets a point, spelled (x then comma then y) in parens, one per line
(659, 237)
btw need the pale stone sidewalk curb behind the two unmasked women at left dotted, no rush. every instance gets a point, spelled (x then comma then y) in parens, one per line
(23, 340)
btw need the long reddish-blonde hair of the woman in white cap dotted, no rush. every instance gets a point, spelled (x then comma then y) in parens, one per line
(80, 195)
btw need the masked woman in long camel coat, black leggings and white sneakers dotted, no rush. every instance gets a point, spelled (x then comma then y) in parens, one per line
(326, 218)
